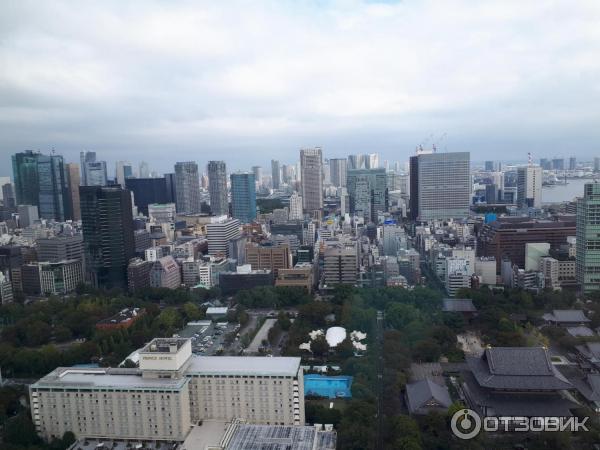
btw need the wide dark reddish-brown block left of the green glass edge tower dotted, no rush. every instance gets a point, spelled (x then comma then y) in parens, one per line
(507, 237)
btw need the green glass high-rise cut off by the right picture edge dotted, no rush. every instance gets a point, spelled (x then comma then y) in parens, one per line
(587, 265)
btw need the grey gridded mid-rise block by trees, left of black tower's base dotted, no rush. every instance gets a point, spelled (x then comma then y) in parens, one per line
(60, 278)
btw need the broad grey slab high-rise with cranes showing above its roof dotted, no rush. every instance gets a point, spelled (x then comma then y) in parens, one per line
(440, 185)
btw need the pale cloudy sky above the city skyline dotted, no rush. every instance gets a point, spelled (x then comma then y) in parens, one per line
(250, 81)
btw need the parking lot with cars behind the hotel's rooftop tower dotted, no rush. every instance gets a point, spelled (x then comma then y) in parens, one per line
(208, 337)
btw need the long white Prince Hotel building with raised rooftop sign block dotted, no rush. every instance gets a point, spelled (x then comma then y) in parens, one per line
(171, 390)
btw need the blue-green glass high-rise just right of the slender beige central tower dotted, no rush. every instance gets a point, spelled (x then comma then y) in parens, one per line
(367, 192)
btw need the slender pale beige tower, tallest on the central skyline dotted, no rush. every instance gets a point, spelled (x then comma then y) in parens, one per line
(311, 163)
